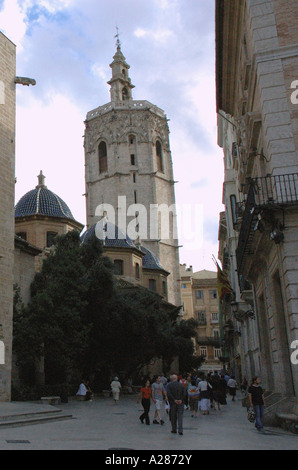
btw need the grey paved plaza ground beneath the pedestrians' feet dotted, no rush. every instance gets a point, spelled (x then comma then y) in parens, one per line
(102, 425)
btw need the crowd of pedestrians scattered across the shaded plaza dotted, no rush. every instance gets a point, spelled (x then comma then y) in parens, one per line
(197, 393)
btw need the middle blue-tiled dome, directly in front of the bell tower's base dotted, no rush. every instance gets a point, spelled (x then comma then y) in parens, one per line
(110, 234)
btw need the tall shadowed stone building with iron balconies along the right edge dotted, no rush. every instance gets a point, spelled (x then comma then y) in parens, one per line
(256, 69)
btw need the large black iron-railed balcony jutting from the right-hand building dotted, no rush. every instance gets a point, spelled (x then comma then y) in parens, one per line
(267, 193)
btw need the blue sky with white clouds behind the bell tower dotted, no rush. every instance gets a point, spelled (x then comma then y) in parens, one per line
(67, 46)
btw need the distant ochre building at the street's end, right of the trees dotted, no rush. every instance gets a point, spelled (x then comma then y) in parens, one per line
(200, 302)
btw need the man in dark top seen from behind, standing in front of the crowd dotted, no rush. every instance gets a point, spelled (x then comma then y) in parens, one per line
(176, 395)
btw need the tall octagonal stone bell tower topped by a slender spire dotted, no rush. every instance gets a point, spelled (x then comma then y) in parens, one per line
(128, 165)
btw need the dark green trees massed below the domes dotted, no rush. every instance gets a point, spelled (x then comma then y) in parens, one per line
(81, 321)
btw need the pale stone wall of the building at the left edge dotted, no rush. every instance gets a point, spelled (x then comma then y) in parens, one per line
(7, 182)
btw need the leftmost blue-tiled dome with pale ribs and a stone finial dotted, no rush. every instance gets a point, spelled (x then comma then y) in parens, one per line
(42, 201)
